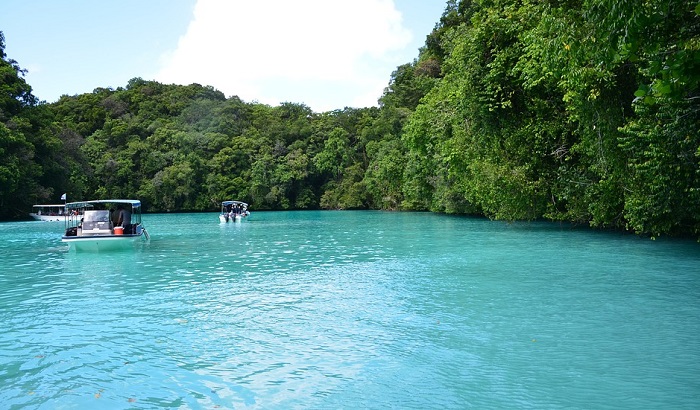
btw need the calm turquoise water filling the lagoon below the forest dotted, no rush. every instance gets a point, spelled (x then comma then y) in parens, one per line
(348, 309)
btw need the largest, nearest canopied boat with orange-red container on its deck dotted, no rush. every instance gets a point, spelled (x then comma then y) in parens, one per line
(98, 226)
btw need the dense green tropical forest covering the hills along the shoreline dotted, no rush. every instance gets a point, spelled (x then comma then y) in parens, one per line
(569, 110)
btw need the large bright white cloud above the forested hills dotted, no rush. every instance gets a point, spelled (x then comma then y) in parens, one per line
(327, 54)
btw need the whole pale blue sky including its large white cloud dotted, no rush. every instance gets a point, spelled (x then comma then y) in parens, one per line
(327, 54)
